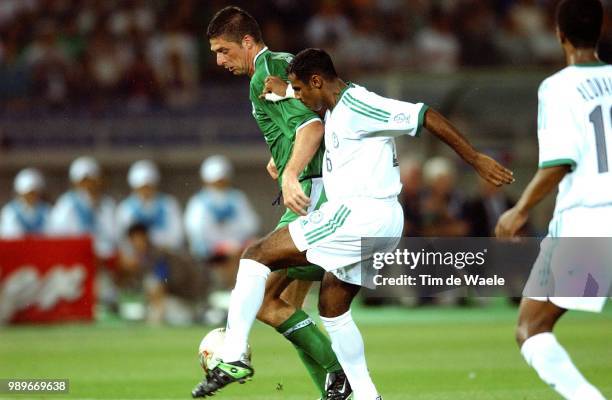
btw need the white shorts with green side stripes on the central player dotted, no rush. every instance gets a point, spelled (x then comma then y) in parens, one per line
(332, 236)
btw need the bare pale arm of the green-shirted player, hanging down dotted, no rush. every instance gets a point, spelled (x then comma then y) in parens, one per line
(307, 141)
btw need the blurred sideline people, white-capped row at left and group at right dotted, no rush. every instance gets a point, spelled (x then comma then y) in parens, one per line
(183, 261)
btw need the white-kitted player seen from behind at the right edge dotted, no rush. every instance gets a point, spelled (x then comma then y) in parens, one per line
(575, 136)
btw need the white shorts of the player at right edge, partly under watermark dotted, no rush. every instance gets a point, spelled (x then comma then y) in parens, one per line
(565, 264)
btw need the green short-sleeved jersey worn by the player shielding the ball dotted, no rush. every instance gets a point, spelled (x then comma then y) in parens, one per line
(279, 121)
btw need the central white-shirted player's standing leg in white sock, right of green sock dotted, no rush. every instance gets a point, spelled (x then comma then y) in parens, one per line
(334, 307)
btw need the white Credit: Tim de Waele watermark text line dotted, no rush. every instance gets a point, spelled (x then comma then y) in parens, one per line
(432, 281)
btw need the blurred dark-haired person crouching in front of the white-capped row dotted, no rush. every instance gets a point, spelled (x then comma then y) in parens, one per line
(174, 285)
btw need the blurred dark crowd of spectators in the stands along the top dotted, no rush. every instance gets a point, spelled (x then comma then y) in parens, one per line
(146, 54)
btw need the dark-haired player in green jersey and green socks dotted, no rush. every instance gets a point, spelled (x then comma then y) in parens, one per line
(294, 135)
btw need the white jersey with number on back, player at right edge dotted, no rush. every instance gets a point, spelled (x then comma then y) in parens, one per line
(575, 128)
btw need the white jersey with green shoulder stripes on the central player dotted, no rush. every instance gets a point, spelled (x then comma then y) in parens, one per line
(360, 158)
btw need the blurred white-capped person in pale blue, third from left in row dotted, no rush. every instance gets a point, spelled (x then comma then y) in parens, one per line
(159, 212)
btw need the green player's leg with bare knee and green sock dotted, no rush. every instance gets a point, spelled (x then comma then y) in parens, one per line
(281, 309)
